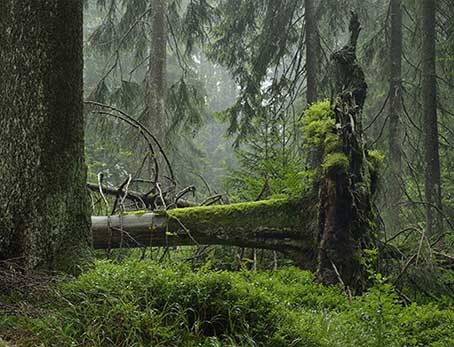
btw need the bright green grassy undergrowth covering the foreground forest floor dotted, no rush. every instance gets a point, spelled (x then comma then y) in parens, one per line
(142, 303)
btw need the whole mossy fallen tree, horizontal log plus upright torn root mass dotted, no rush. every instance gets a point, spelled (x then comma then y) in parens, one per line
(327, 233)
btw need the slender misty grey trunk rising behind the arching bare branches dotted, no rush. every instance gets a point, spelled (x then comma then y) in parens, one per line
(156, 85)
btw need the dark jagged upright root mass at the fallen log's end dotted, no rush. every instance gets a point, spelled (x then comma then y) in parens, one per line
(345, 190)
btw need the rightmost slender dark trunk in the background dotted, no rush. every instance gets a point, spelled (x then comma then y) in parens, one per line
(429, 105)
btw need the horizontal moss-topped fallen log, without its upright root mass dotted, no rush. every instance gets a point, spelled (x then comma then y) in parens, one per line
(283, 225)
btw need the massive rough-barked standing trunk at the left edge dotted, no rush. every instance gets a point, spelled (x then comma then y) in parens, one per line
(44, 215)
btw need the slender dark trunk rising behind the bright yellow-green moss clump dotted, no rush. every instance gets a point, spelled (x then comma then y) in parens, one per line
(312, 47)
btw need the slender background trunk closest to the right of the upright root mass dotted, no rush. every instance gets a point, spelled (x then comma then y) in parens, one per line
(395, 111)
